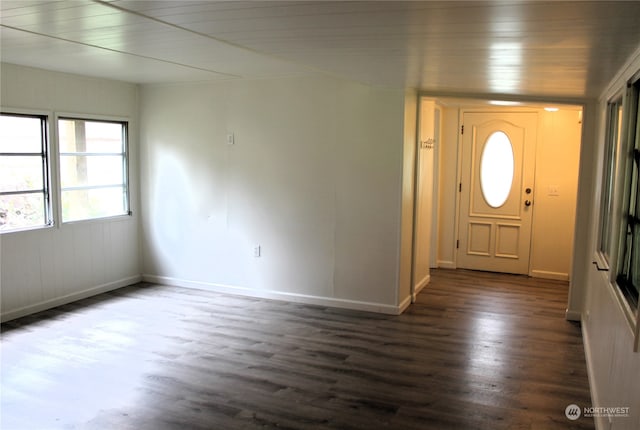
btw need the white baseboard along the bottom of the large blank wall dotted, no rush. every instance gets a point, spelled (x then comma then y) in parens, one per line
(278, 295)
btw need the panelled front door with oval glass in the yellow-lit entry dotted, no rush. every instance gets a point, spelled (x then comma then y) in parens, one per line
(496, 191)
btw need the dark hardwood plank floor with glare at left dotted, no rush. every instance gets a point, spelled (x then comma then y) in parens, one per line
(477, 351)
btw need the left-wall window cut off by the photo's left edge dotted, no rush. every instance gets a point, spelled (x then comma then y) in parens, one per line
(24, 172)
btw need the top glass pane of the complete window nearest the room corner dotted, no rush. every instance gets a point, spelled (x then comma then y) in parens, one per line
(94, 137)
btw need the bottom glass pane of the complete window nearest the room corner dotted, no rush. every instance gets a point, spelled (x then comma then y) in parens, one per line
(93, 203)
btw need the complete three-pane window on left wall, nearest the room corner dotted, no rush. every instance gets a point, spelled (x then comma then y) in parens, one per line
(93, 168)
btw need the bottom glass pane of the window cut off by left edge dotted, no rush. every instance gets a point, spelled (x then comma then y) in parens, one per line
(21, 211)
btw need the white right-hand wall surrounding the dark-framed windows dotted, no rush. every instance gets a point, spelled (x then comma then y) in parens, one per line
(614, 369)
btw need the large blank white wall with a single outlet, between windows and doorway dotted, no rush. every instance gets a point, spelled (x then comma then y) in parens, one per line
(314, 178)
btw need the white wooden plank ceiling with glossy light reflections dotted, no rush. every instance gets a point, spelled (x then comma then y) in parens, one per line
(564, 49)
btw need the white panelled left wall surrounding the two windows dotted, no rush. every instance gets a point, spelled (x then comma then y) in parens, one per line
(46, 267)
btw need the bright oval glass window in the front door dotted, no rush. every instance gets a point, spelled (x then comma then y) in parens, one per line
(496, 169)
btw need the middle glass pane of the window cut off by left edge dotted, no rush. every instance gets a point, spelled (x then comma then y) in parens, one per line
(21, 173)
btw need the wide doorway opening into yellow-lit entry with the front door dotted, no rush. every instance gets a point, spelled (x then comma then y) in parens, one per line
(527, 230)
